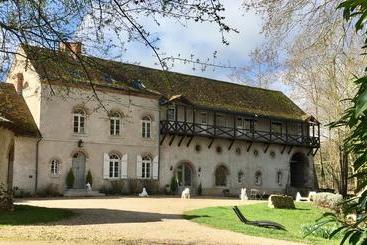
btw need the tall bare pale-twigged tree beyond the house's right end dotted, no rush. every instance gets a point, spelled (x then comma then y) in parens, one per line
(319, 55)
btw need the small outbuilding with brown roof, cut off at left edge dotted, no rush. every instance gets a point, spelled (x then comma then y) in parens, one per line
(16, 125)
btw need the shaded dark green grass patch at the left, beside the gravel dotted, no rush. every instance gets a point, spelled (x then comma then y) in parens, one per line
(30, 215)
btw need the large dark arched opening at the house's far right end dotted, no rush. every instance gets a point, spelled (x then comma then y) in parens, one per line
(299, 170)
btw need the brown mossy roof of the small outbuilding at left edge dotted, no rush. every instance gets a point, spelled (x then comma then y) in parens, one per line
(14, 112)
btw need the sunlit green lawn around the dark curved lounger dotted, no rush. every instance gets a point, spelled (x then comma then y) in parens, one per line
(225, 218)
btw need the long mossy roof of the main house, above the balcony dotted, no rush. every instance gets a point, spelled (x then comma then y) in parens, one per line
(59, 66)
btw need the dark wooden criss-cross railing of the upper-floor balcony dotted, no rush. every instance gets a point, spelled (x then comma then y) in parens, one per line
(196, 129)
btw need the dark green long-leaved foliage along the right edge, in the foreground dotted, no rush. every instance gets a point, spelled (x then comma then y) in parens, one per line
(354, 118)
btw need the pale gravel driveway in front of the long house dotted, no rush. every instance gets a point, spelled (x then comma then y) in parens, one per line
(128, 220)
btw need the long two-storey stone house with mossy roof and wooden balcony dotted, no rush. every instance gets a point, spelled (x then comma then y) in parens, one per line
(124, 121)
